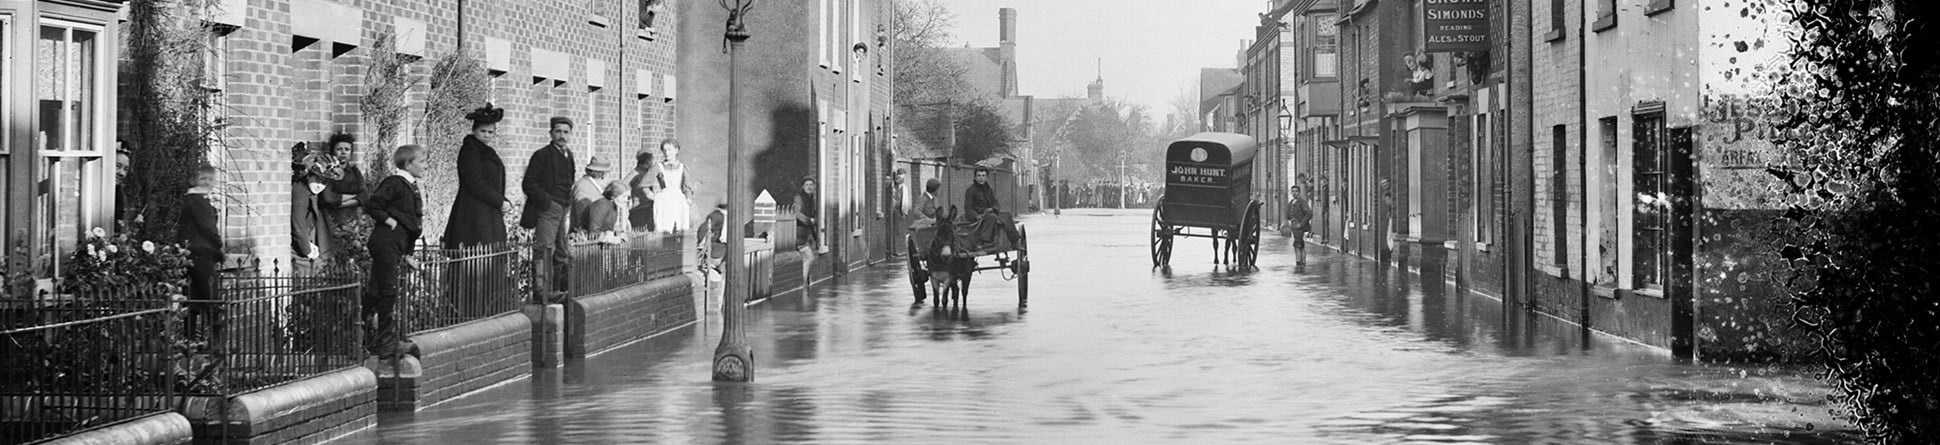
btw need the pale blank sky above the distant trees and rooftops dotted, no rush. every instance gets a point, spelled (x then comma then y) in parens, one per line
(1153, 50)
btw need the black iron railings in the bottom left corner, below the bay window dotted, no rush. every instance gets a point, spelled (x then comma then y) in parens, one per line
(81, 362)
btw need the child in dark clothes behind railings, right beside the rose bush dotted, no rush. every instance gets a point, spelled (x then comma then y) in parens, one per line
(203, 236)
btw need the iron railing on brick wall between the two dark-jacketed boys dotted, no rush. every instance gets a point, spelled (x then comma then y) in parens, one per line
(271, 329)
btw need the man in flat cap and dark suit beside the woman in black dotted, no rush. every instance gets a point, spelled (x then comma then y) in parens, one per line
(550, 201)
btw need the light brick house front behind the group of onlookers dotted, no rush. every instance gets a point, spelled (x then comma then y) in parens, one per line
(300, 71)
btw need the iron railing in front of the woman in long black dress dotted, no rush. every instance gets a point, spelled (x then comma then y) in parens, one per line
(455, 287)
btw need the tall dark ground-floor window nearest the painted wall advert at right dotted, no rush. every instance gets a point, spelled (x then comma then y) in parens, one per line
(1652, 207)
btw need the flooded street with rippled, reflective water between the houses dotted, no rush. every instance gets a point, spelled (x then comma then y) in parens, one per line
(1115, 353)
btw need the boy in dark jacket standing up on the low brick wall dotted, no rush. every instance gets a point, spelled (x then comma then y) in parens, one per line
(399, 211)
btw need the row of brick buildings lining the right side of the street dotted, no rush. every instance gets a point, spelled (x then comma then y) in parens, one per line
(1600, 164)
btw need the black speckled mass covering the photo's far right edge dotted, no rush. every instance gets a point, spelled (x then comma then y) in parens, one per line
(1861, 116)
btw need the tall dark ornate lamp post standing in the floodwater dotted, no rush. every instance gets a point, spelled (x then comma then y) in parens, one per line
(734, 359)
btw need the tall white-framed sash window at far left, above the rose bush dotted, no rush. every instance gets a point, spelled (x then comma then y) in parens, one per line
(69, 106)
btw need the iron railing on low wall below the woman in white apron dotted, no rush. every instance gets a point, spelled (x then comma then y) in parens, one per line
(647, 257)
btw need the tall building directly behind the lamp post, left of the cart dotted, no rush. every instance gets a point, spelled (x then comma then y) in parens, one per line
(816, 102)
